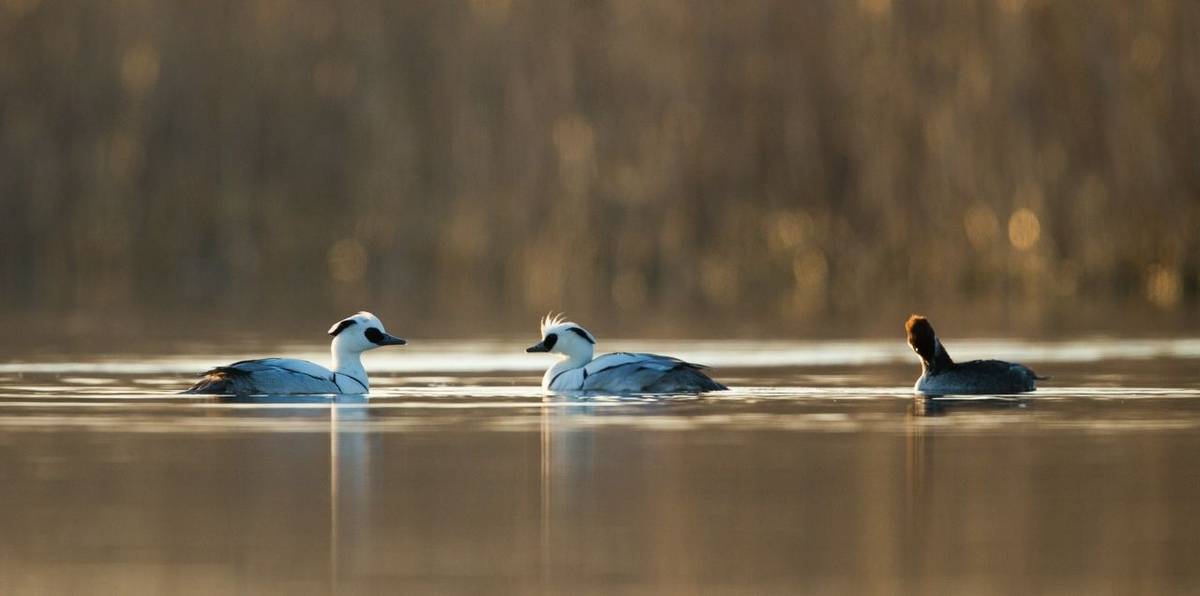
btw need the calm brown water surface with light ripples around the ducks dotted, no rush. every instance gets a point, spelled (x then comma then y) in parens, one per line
(818, 474)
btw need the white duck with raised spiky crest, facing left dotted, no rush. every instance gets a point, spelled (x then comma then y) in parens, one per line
(614, 374)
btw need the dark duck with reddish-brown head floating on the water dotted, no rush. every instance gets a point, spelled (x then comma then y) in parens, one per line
(943, 376)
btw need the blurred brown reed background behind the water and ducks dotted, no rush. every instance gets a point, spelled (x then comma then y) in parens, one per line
(655, 168)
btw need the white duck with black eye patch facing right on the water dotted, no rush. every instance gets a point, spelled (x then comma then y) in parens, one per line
(352, 338)
